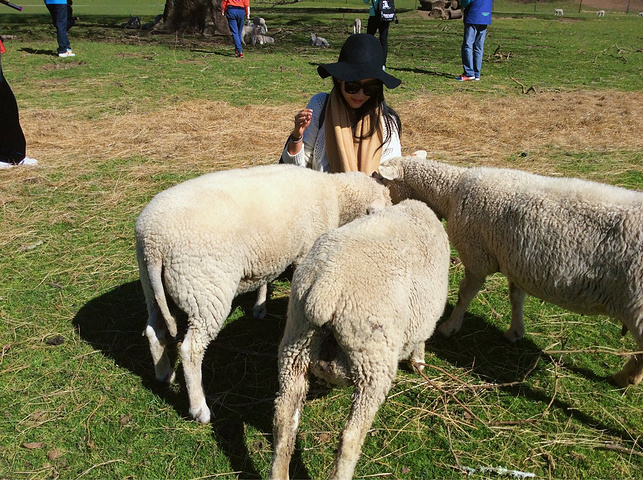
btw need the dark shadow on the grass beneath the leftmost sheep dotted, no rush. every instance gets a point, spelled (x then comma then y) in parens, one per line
(239, 369)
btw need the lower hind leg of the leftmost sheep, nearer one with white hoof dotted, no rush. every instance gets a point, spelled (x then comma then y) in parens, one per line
(192, 351)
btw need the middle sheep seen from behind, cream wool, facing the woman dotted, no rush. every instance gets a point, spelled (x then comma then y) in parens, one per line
(365, 297)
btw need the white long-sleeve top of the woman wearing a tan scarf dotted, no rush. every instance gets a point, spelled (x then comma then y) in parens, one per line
(313, 155)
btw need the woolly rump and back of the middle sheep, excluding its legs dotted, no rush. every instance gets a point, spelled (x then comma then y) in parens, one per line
(379, 277)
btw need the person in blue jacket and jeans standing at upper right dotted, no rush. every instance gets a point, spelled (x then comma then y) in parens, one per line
(477, 17)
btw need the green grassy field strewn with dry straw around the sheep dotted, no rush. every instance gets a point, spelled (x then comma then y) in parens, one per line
(135, 113)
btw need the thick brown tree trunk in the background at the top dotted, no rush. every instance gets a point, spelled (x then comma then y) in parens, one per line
(194, 16)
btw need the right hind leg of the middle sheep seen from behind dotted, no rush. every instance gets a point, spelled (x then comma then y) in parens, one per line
(367, 399)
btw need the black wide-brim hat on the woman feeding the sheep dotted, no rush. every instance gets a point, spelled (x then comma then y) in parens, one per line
(361, 57)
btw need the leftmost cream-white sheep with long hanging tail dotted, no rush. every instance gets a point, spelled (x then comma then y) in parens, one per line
(206, 240)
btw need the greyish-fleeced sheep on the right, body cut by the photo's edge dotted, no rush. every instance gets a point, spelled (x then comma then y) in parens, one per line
(574, 243)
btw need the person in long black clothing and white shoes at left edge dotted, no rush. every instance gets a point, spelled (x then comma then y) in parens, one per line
(12, 140)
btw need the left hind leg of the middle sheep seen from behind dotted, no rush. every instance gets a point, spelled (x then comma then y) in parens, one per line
(294, 361)
